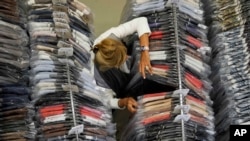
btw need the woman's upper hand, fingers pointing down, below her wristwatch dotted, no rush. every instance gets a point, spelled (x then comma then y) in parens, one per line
(144, 65)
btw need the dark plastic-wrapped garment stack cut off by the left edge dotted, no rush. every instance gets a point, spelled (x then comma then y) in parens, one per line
(16, 111)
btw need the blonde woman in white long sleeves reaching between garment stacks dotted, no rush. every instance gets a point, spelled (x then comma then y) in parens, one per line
(110, 53)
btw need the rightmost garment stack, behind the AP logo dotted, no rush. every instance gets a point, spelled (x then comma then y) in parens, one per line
(229, 39)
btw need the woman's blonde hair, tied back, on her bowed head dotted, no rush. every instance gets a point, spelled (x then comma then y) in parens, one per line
(110, 53)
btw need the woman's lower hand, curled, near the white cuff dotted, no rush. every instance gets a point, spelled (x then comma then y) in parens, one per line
(129, 103)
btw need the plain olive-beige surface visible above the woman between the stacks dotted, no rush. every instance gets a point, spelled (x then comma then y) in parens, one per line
(107, 13)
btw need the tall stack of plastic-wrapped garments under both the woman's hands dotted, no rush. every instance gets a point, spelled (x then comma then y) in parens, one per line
(180, 56)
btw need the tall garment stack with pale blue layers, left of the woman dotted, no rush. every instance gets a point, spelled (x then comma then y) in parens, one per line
(69, 104)
